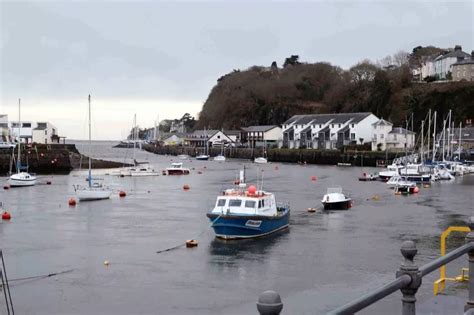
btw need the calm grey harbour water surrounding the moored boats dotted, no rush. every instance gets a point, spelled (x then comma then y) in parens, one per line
(324, 260)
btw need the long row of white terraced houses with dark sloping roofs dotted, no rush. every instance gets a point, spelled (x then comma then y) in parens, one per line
(328, 131)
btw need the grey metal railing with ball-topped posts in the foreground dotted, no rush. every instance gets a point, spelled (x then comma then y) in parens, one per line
(408, 280)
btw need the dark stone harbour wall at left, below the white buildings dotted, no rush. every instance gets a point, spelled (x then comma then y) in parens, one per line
(49, 159)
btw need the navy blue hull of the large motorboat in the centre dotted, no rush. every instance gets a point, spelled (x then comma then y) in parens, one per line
(243, 226)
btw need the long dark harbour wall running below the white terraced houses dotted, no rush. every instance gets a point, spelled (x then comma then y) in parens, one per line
(310, 156)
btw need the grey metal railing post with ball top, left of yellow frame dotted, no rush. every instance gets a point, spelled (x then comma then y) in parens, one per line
(408, 267)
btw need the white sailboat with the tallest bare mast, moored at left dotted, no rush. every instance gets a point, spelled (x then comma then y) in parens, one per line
(93, 190)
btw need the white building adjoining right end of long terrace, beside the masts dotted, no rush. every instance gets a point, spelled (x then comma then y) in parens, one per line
(385, 137)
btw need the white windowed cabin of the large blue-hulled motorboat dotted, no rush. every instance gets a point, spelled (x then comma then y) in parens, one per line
(243, 203)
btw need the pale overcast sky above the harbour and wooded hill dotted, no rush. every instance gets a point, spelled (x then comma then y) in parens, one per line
(162, 58)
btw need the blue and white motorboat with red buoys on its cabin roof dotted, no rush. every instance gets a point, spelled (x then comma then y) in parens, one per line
(247, 213)
